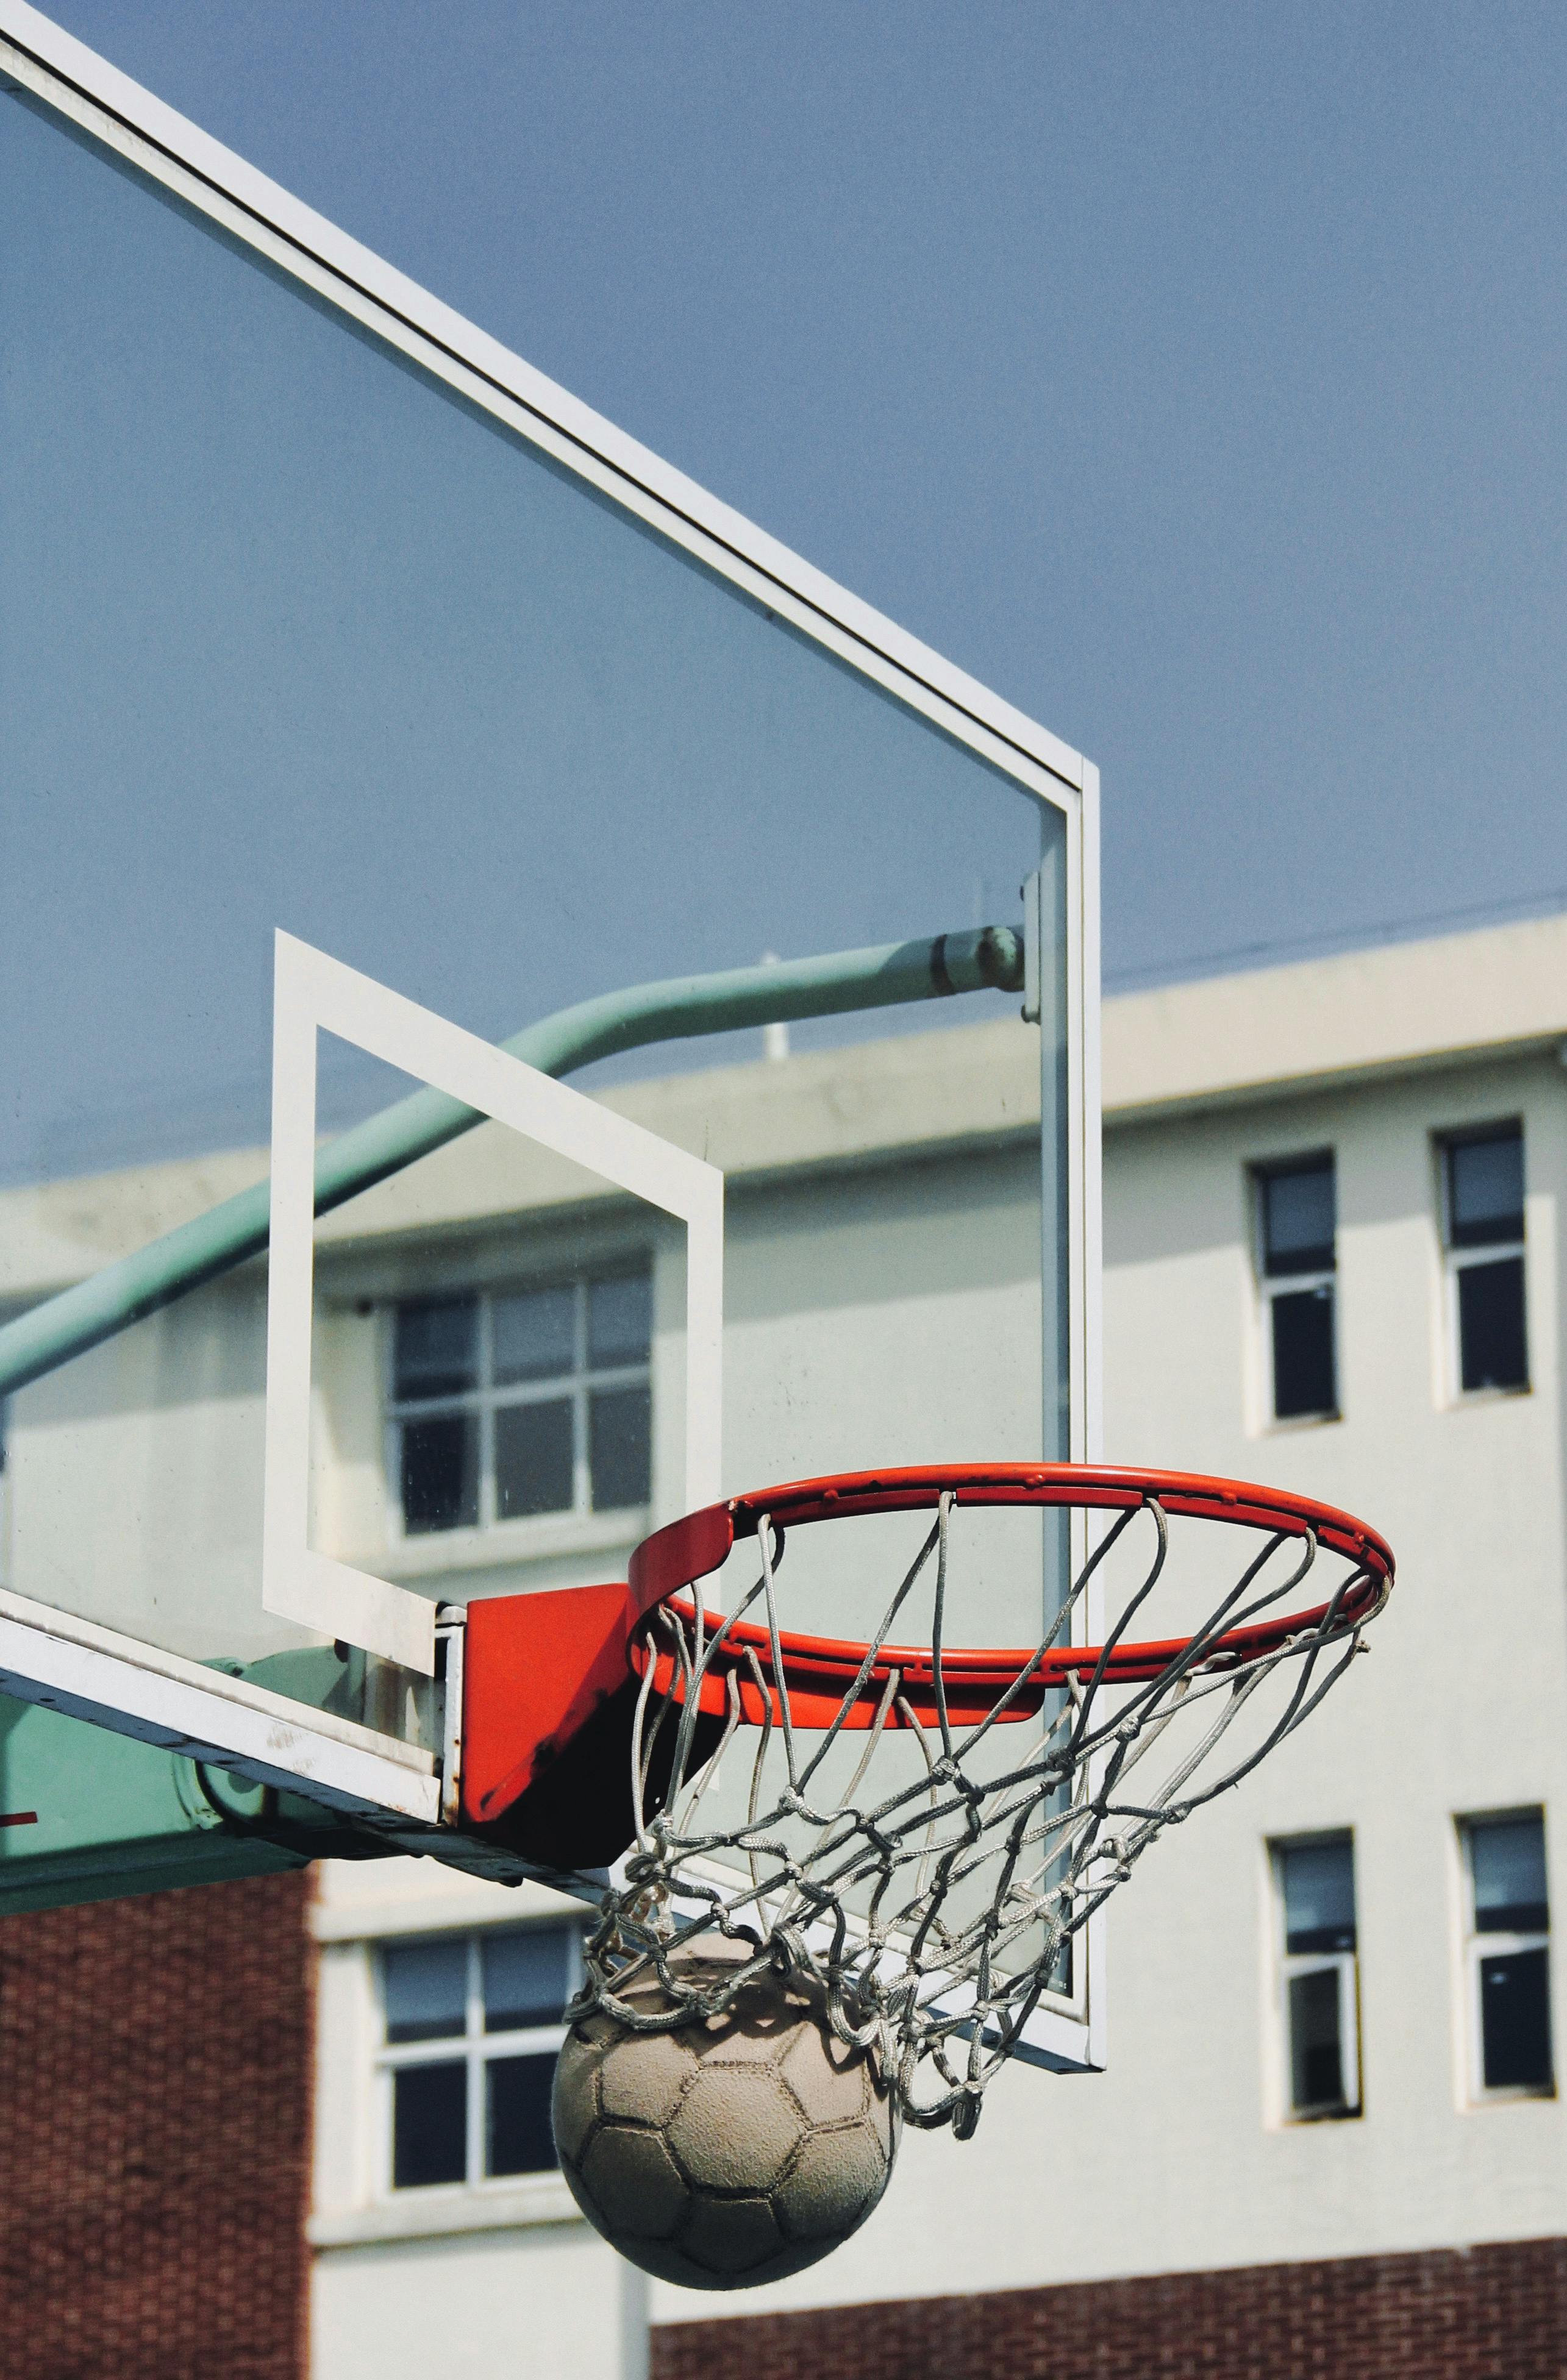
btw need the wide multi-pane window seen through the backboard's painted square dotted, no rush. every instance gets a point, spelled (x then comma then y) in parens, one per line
(523, 1403)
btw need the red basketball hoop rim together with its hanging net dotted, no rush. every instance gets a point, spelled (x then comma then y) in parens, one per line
(894, 1850)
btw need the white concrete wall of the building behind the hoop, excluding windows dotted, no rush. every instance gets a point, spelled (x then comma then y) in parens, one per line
(885, 1310)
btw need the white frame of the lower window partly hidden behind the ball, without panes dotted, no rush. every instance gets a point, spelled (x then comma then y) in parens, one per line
(473, 2048)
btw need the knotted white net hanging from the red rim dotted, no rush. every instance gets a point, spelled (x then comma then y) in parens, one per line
(939, 1912)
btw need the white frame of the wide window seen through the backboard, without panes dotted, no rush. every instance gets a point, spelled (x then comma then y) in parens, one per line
(485, 1401)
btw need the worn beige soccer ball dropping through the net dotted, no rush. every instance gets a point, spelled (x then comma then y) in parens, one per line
(732, 2150)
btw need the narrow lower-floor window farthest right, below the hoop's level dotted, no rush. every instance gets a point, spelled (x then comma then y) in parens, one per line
(1509, 1958)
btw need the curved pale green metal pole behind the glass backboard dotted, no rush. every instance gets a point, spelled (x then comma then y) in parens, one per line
(111, 1301)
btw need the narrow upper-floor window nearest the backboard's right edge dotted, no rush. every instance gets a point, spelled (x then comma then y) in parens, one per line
(1297, 1227)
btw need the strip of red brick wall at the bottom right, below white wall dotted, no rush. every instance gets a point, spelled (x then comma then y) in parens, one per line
(1480, 2315)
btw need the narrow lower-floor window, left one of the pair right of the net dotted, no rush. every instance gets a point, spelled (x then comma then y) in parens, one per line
(1321, 1988)
